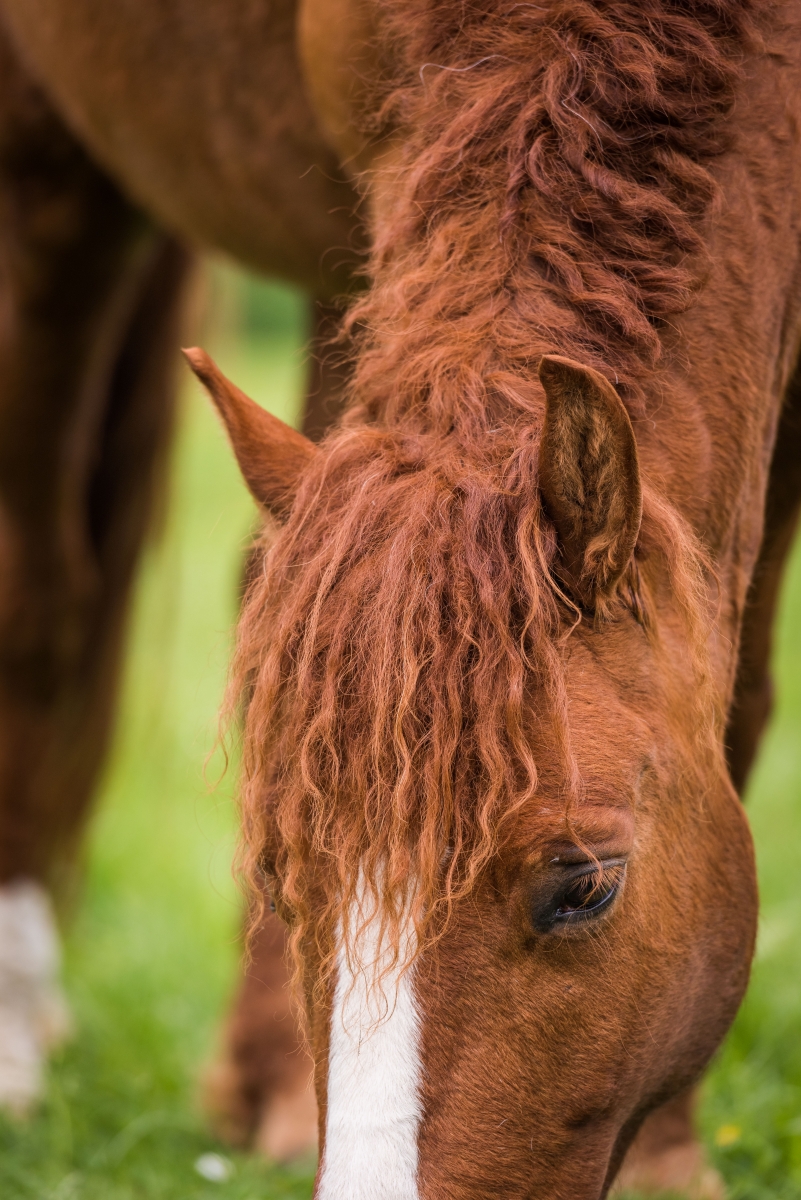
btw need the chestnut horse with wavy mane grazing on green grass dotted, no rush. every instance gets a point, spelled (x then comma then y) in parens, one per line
(503, 659)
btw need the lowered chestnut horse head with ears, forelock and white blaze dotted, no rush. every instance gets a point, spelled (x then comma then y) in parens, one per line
(484, 776)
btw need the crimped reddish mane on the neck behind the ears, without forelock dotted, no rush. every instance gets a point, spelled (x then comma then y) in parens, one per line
(559, 155)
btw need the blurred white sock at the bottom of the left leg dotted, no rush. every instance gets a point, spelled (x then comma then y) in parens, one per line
(34, 1016)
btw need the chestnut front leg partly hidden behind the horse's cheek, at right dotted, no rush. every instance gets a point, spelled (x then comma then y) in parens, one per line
(666, 1155)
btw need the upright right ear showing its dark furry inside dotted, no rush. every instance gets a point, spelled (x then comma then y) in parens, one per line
(589, 478)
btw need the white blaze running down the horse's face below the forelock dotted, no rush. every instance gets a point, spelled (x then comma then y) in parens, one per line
(375, 1071)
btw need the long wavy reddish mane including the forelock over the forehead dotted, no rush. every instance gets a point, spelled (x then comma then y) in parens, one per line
(551, 197)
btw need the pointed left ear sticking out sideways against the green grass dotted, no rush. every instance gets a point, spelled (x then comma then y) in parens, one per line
(272, 455)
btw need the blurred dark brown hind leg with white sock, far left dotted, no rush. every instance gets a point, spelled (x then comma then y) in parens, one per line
(88, 302)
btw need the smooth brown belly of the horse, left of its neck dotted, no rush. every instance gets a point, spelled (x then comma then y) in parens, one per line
(198, 110)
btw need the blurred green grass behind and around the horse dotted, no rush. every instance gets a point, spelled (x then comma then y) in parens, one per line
(153, 949)
